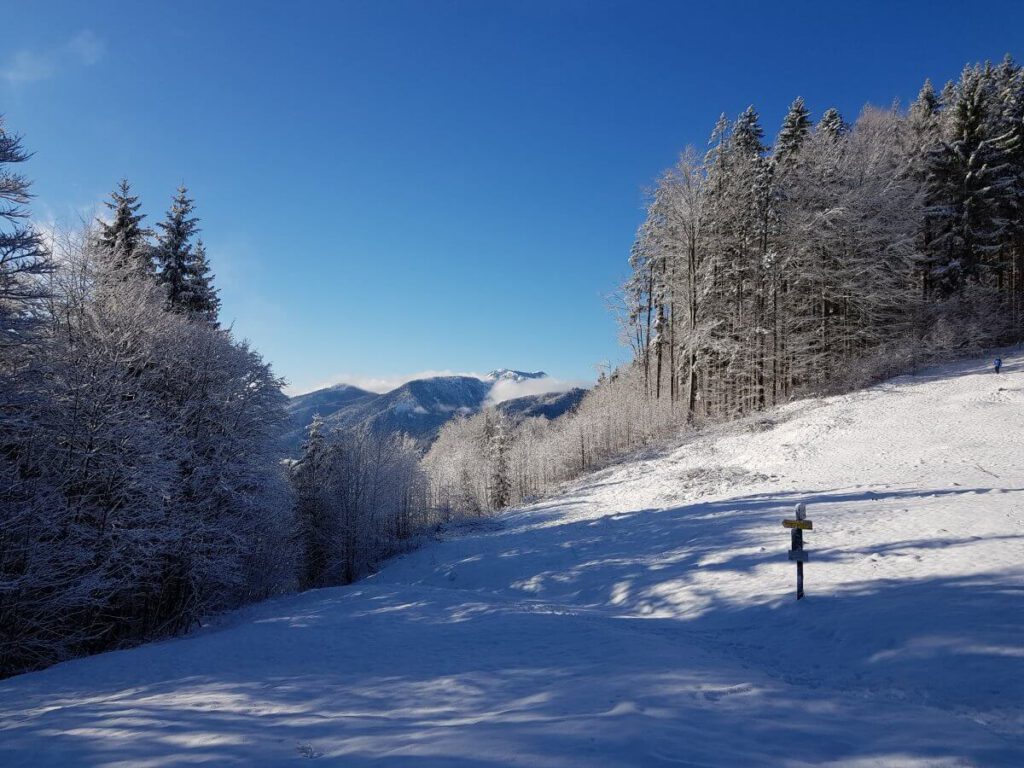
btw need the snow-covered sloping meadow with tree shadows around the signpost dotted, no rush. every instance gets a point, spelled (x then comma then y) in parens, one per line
(644, 618)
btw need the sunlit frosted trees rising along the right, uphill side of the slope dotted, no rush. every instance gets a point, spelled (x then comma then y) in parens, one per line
(838, 257)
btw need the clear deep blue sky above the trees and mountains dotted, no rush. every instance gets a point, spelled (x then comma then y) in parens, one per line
(389, 188)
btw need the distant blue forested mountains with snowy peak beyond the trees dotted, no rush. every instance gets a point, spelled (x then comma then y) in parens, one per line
(420, 408)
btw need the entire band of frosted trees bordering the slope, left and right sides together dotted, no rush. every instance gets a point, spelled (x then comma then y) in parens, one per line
(143, 480)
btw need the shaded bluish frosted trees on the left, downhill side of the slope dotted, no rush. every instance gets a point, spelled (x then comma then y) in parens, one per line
(142, 476)
